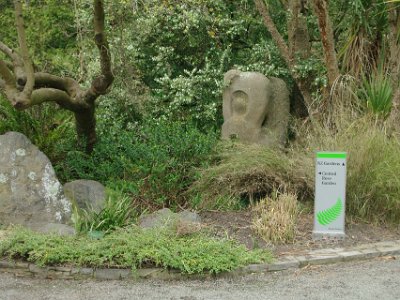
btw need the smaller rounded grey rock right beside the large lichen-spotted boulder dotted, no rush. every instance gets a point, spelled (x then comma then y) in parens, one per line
(87, 194)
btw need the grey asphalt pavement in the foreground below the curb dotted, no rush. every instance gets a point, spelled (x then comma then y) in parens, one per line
(378, 278)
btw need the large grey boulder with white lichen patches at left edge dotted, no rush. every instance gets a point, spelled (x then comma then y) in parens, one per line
(30, 193)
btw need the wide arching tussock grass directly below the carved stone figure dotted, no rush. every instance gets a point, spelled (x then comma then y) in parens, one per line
(250, 172)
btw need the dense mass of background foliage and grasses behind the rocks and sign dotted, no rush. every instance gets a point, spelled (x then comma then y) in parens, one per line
(159, 125)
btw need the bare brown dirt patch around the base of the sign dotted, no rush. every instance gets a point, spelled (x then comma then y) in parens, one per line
(237, 225)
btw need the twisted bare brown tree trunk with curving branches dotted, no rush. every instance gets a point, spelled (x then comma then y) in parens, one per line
(24, 88)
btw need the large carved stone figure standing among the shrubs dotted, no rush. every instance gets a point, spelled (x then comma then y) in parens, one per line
(255, 108)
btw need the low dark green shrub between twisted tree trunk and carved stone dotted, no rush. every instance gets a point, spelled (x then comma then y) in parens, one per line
(155, 161)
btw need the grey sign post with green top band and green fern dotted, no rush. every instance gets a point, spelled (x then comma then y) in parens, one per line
(330, 195)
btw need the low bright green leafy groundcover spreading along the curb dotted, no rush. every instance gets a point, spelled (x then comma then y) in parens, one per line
(133, 248)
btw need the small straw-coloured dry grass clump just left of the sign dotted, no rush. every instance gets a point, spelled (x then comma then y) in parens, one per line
(276, 218)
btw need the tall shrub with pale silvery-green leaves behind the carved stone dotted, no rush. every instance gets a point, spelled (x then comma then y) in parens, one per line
(181, 49)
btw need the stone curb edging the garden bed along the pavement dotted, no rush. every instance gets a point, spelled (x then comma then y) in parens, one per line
(314, 257)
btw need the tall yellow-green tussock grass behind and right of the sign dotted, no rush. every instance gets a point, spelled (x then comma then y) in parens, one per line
(373, 167)
